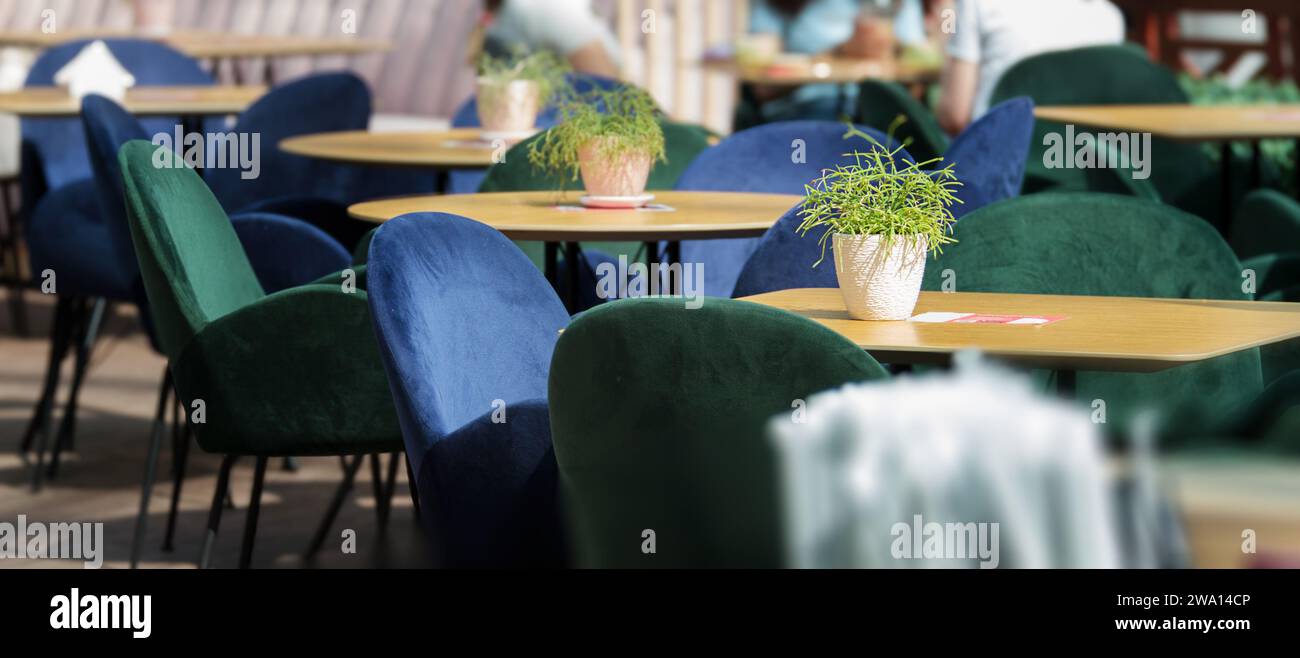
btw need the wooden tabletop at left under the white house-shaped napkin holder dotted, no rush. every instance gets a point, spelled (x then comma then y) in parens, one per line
(206, 101)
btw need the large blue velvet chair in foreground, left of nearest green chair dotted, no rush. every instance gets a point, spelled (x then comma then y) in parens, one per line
(466, 327)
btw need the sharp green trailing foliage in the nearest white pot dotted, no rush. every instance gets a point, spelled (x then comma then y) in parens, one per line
(877, 197)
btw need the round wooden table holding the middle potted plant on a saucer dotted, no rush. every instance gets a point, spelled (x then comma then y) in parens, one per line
(556, 219)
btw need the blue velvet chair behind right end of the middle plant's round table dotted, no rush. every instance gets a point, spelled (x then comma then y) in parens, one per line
(764, 161)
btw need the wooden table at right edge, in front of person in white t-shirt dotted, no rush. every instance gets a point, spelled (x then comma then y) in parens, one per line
(1182, 123)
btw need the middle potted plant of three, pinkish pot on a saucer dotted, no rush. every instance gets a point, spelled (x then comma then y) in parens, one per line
(612, 138)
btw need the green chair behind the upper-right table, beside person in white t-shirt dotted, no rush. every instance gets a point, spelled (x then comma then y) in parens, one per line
(1104, 76)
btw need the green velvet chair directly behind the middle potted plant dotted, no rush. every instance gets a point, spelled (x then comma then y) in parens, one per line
(683, 142)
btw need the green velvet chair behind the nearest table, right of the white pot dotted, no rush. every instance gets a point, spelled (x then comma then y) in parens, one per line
(1082, 244)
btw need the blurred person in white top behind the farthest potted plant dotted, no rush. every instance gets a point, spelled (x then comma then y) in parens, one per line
(569, 28)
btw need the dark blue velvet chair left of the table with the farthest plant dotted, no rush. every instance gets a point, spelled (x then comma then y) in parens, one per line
(311, 191)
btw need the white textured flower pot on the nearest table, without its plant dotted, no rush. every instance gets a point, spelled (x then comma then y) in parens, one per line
(879, 284)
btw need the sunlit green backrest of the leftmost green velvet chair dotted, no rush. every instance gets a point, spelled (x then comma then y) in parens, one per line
(194, 267)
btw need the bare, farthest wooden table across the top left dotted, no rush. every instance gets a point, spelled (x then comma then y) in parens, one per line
(210, 45)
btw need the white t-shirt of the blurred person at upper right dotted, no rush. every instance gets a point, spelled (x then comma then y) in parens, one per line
(998, 34)
